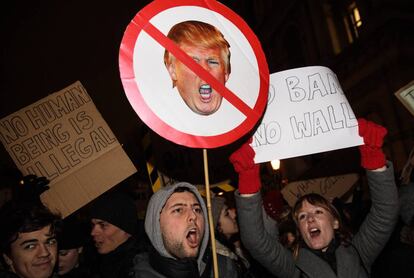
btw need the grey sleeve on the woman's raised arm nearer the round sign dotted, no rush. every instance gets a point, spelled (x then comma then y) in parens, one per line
(264, 247)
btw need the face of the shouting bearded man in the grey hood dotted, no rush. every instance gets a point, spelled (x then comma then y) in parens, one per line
(182, 225)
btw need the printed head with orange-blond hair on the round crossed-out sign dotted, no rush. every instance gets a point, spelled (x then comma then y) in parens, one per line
(207, 46)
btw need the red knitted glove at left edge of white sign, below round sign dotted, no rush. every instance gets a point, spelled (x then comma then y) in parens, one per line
(243, 163)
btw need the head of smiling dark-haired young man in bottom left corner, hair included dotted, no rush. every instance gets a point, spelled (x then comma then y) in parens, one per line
(28, 240)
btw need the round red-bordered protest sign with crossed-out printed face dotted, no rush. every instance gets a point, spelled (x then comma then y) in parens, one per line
(194, 72)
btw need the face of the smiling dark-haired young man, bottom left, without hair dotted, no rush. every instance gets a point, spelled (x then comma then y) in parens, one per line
(33, 254)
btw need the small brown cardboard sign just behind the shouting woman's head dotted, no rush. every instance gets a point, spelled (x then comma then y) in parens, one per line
(329, 187)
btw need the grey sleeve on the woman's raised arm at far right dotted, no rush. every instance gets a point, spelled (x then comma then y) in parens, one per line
(382, 217)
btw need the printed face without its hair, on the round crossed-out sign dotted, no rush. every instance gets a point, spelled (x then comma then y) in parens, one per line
(199, 96)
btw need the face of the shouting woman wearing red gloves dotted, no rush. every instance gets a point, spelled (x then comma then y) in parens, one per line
(316, 225)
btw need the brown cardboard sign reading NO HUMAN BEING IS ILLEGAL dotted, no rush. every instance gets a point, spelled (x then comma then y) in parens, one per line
(64, 138)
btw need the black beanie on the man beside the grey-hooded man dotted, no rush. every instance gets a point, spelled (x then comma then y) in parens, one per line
(118, 209)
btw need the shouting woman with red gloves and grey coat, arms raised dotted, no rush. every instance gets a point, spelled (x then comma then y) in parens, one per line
(323, 249)
